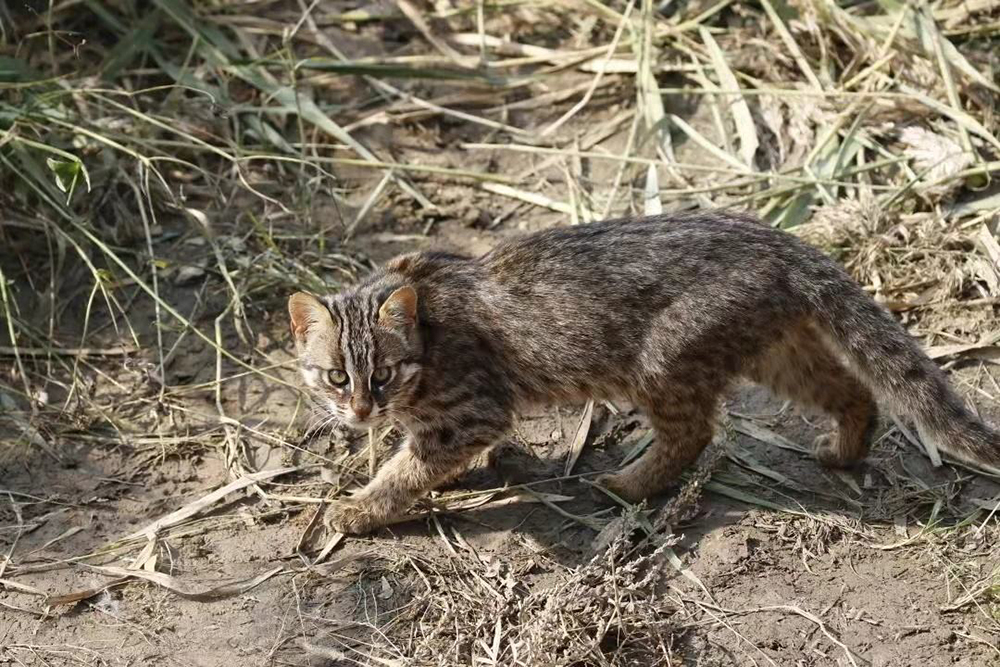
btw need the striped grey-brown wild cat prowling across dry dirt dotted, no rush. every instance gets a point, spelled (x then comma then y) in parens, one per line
(665, 312)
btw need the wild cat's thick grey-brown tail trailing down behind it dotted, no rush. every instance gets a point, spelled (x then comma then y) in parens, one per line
(893, 365)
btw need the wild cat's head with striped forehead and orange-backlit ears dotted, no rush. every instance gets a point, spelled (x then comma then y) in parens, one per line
(358, 351)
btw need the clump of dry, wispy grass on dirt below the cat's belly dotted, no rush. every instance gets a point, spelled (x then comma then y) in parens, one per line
(611, 610)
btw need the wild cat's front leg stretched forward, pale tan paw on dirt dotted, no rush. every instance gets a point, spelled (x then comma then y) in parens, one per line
(423, 463)
